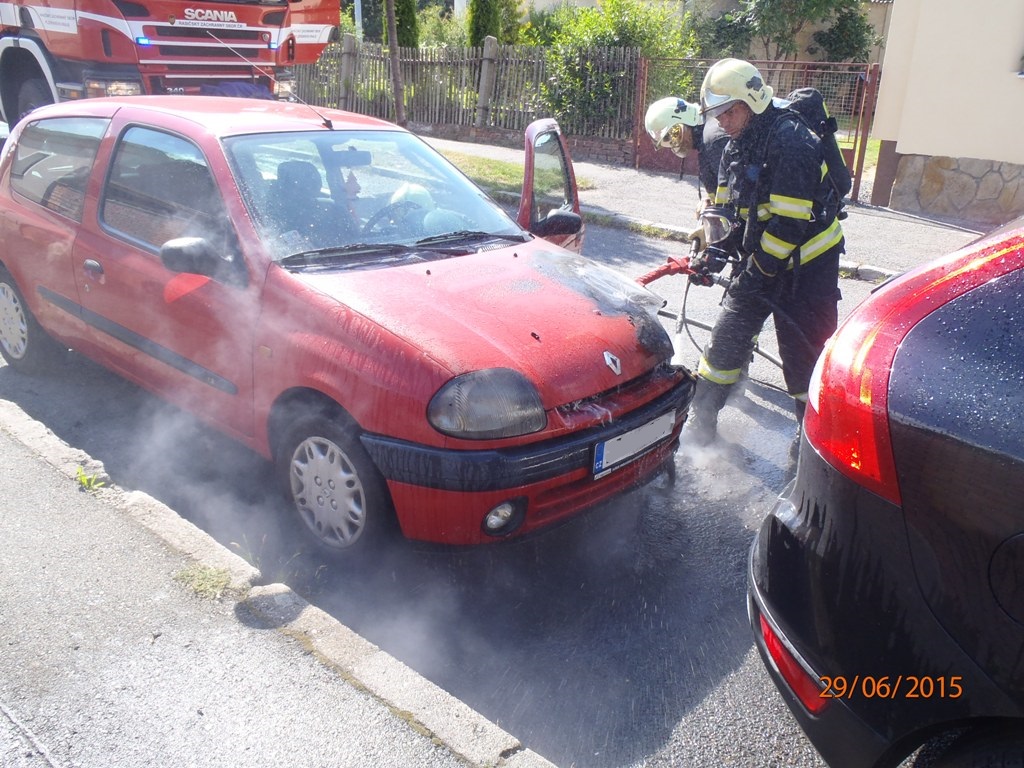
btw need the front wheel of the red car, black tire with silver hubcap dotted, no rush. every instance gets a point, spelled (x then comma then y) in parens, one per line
(332, 483)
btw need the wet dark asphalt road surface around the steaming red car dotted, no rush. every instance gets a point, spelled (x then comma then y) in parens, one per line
(619, 639)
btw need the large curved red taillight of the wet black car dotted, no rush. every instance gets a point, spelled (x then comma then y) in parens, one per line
(847, 419)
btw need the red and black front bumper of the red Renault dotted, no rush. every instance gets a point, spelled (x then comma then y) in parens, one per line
(442, 495)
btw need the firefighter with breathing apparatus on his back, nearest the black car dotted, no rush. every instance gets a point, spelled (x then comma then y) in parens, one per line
(787, 236)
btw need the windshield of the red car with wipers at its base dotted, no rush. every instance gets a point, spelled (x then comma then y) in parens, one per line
(335, 192)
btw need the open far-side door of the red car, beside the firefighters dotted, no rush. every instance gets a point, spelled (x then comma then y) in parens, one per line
(550, 203)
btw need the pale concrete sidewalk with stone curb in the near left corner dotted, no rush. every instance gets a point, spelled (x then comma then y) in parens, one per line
(114, 654)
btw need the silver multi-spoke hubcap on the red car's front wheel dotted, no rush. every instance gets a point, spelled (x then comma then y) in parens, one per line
(328, 493)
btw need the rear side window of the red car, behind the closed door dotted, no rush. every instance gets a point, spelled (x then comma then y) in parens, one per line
(53, 161)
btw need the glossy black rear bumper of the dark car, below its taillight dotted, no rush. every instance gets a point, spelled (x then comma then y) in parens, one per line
(832, 573)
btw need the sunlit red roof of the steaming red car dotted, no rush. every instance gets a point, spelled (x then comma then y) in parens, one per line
(224, 116)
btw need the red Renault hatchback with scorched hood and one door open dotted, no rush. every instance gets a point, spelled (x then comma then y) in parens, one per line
(331, 292)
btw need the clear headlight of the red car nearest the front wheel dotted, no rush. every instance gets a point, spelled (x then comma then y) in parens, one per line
(486, 405)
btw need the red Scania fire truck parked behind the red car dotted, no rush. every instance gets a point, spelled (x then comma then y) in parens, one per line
(58, 51)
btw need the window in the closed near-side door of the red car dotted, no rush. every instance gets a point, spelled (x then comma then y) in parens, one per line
(160, 188)
